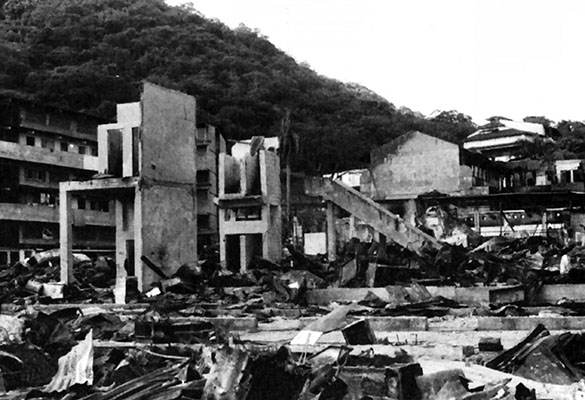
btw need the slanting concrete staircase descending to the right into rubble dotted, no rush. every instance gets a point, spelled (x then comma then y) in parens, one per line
(392, 226)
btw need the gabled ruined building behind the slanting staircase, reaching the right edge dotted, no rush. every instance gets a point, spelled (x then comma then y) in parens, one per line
(418, 177)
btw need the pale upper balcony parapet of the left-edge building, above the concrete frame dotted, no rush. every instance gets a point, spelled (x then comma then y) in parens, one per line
(39, 155)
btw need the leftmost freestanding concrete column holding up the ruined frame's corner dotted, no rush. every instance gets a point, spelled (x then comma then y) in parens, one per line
(66, 234)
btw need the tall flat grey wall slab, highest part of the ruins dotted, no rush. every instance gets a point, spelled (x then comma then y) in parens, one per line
(168, 194)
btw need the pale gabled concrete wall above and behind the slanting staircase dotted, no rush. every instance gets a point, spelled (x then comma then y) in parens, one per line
(417, 164)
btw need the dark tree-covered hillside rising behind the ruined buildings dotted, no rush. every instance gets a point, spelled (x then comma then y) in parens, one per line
(89, 55)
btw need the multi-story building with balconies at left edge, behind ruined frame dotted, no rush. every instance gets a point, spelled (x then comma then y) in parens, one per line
(41, 146)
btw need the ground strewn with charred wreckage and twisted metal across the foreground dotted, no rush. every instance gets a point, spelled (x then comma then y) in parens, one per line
(210, 334)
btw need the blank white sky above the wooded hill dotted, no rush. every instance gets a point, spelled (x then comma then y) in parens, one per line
(512, 58)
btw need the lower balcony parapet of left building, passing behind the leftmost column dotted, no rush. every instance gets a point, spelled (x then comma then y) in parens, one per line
(40, 213)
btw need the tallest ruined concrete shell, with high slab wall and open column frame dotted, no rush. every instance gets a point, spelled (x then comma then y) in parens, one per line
(149, 170)
